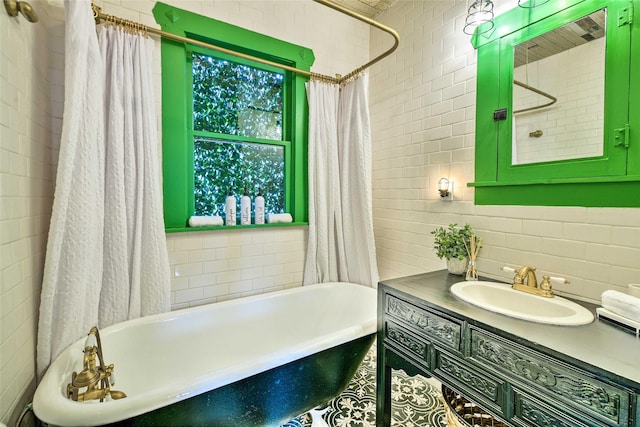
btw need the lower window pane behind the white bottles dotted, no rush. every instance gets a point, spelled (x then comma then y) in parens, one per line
(223, 165)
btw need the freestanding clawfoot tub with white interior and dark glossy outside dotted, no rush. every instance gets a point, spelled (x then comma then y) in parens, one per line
(254, 361)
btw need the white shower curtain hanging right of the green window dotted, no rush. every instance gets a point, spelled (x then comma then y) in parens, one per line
(341, 244)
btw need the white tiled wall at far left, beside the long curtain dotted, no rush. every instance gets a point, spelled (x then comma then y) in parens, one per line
(27, 140)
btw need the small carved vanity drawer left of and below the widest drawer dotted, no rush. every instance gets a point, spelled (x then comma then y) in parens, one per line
(485, 390)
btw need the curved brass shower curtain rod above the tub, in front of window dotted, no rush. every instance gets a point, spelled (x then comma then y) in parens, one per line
(99, 16)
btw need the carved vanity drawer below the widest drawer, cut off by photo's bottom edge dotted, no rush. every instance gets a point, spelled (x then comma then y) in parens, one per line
(530, 412)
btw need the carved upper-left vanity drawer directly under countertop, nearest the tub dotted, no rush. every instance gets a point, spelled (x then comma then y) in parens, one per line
(436, 326)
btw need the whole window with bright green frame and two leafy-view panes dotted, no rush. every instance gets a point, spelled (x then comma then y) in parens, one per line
(229, 123)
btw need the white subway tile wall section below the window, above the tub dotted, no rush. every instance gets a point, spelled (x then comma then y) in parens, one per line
(212, 266)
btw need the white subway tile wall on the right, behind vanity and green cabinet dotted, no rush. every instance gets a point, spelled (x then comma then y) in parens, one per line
(423, 115)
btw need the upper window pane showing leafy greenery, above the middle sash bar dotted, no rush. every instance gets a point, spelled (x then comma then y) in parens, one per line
(236, 99)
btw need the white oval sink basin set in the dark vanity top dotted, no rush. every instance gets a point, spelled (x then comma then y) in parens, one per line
(501, 298)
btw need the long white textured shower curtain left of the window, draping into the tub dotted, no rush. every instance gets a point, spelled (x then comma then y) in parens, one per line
(106, 255)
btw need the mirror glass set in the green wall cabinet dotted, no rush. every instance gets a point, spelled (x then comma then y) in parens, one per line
(558, 93)
